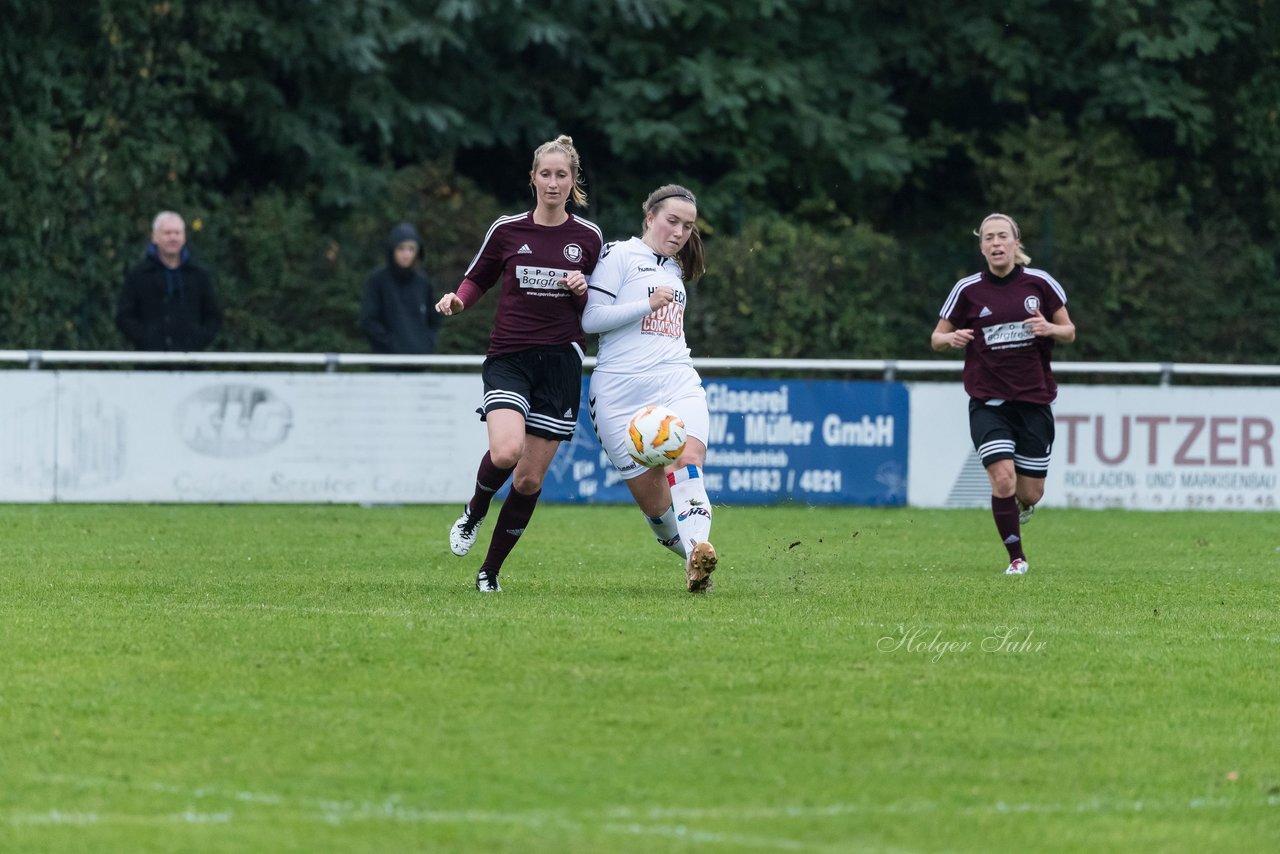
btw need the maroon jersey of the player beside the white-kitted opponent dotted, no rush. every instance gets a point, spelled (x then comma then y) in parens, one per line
(534, 309)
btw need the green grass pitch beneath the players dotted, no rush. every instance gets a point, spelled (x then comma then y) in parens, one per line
(301, 679)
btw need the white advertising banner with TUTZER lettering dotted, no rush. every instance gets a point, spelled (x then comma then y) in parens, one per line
(1140, 447)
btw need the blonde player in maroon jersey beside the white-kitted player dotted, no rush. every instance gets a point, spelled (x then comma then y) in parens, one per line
(533, 371)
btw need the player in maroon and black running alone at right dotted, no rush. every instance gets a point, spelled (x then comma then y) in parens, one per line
(1007, 319)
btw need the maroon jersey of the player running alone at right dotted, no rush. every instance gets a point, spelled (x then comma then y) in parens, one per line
(1005, 362)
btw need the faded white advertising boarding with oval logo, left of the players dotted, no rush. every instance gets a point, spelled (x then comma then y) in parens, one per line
(241, 437)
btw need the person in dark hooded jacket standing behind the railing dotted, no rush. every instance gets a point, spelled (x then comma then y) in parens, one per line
(396, 310)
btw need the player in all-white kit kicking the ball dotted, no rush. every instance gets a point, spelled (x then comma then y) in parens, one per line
(637, 303)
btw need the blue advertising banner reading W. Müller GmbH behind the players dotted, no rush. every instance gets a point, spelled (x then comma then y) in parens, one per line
(815, 442)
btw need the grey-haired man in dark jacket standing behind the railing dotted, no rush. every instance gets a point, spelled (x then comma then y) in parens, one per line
(168, 300)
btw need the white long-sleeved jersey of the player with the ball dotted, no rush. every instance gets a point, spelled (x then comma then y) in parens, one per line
(633, 339)
